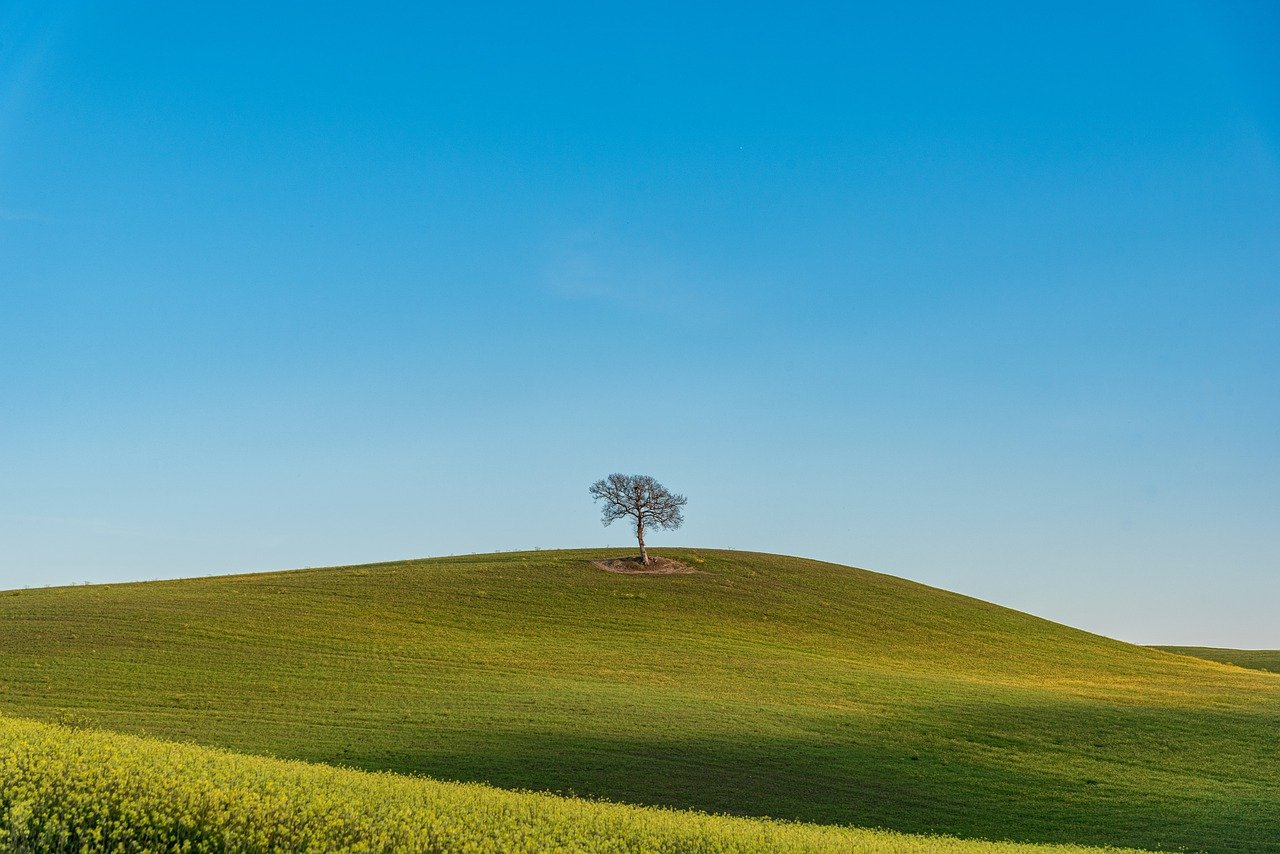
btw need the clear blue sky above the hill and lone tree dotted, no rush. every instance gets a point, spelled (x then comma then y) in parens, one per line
(982, 295)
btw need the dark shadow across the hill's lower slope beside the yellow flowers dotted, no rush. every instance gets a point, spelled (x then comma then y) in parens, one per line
(985, 789)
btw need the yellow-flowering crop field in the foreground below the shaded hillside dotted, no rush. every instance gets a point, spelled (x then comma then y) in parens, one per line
(84, 792)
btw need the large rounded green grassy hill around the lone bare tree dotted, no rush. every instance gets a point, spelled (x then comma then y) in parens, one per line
(761, 686)
